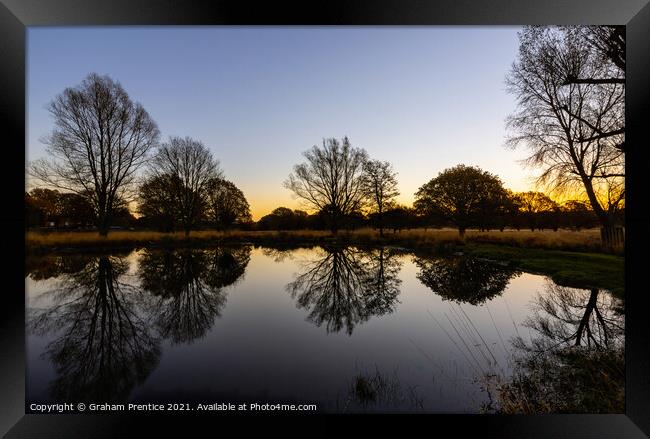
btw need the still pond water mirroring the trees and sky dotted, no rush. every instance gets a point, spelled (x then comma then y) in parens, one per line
(347, 329)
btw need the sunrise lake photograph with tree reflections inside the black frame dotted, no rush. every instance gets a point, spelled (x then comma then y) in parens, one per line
(325, 219)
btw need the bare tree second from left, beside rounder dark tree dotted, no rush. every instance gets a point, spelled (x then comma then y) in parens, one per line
(192, 166)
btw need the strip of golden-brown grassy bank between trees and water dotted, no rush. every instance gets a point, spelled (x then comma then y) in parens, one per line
(569, 258)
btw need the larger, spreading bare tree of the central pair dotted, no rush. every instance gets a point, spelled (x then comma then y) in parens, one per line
(330, 181)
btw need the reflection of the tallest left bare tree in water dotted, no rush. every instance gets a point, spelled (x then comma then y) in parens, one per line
(105, 347)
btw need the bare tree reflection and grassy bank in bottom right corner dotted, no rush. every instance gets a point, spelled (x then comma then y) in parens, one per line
(574, 363)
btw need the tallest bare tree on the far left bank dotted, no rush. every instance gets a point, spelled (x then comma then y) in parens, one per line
(100, 140)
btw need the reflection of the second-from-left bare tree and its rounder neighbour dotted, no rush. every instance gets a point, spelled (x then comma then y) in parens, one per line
(187, 286)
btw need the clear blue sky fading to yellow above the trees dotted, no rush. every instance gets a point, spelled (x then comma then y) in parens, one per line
(423, 98)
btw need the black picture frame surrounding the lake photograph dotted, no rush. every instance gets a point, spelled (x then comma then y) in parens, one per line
(16, 15)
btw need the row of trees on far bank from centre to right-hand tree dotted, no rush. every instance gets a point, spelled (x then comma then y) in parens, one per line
(347, 189)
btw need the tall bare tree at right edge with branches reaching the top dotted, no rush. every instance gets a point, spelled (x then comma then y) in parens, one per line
(561, 124)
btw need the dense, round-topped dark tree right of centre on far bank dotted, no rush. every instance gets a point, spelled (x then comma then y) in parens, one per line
(464, 195)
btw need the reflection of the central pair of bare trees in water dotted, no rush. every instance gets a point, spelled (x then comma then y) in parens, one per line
(345, 286)
